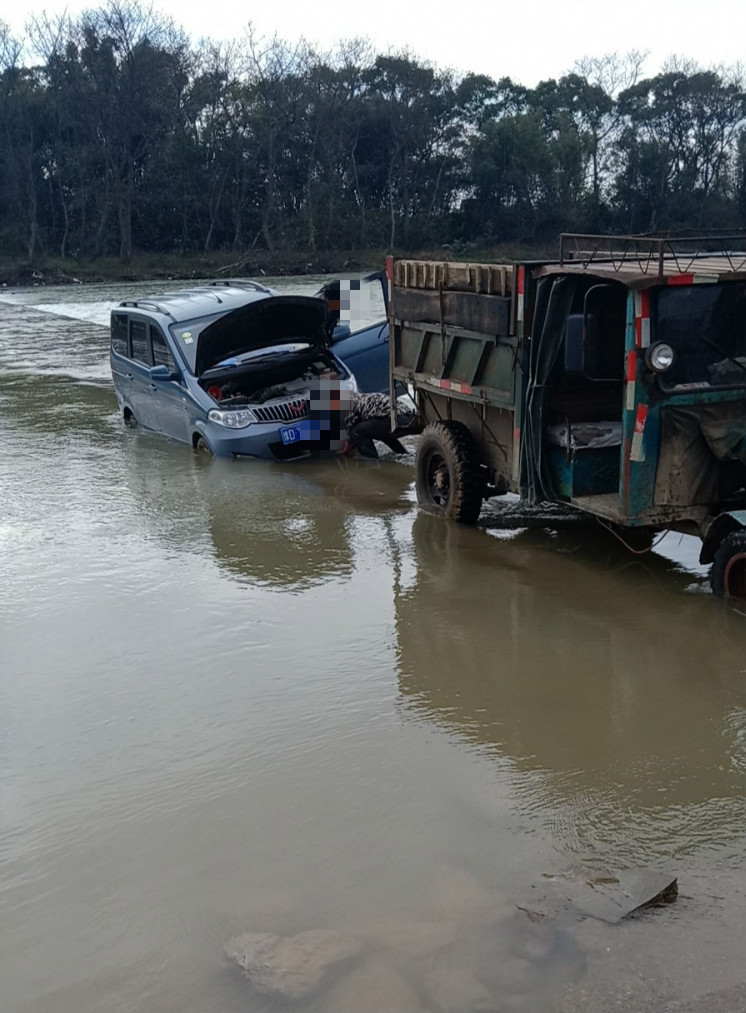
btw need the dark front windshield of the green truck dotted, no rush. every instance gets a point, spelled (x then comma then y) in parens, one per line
(706, 327)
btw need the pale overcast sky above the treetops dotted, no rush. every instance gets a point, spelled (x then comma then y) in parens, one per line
(529, 42)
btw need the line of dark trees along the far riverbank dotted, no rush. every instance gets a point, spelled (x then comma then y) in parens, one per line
(118, 133)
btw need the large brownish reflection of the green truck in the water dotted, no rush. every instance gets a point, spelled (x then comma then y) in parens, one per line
(619, 704)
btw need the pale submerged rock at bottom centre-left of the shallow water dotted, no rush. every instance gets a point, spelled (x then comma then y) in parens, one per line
(291, 967)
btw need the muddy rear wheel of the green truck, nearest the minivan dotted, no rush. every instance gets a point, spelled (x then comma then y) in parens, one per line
(449, 476)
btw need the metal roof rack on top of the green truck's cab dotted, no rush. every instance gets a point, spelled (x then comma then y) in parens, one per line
(650, 253)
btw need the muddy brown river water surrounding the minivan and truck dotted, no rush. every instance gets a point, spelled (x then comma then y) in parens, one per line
(244, 697)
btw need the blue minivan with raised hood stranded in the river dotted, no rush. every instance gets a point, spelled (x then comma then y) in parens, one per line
(226, 367)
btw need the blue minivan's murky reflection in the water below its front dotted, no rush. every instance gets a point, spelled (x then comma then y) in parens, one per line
(285, 528)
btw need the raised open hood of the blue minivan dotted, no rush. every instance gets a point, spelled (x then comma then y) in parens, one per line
(260, 325)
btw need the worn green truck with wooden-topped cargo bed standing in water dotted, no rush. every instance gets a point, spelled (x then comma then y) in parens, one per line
(613, 380)
